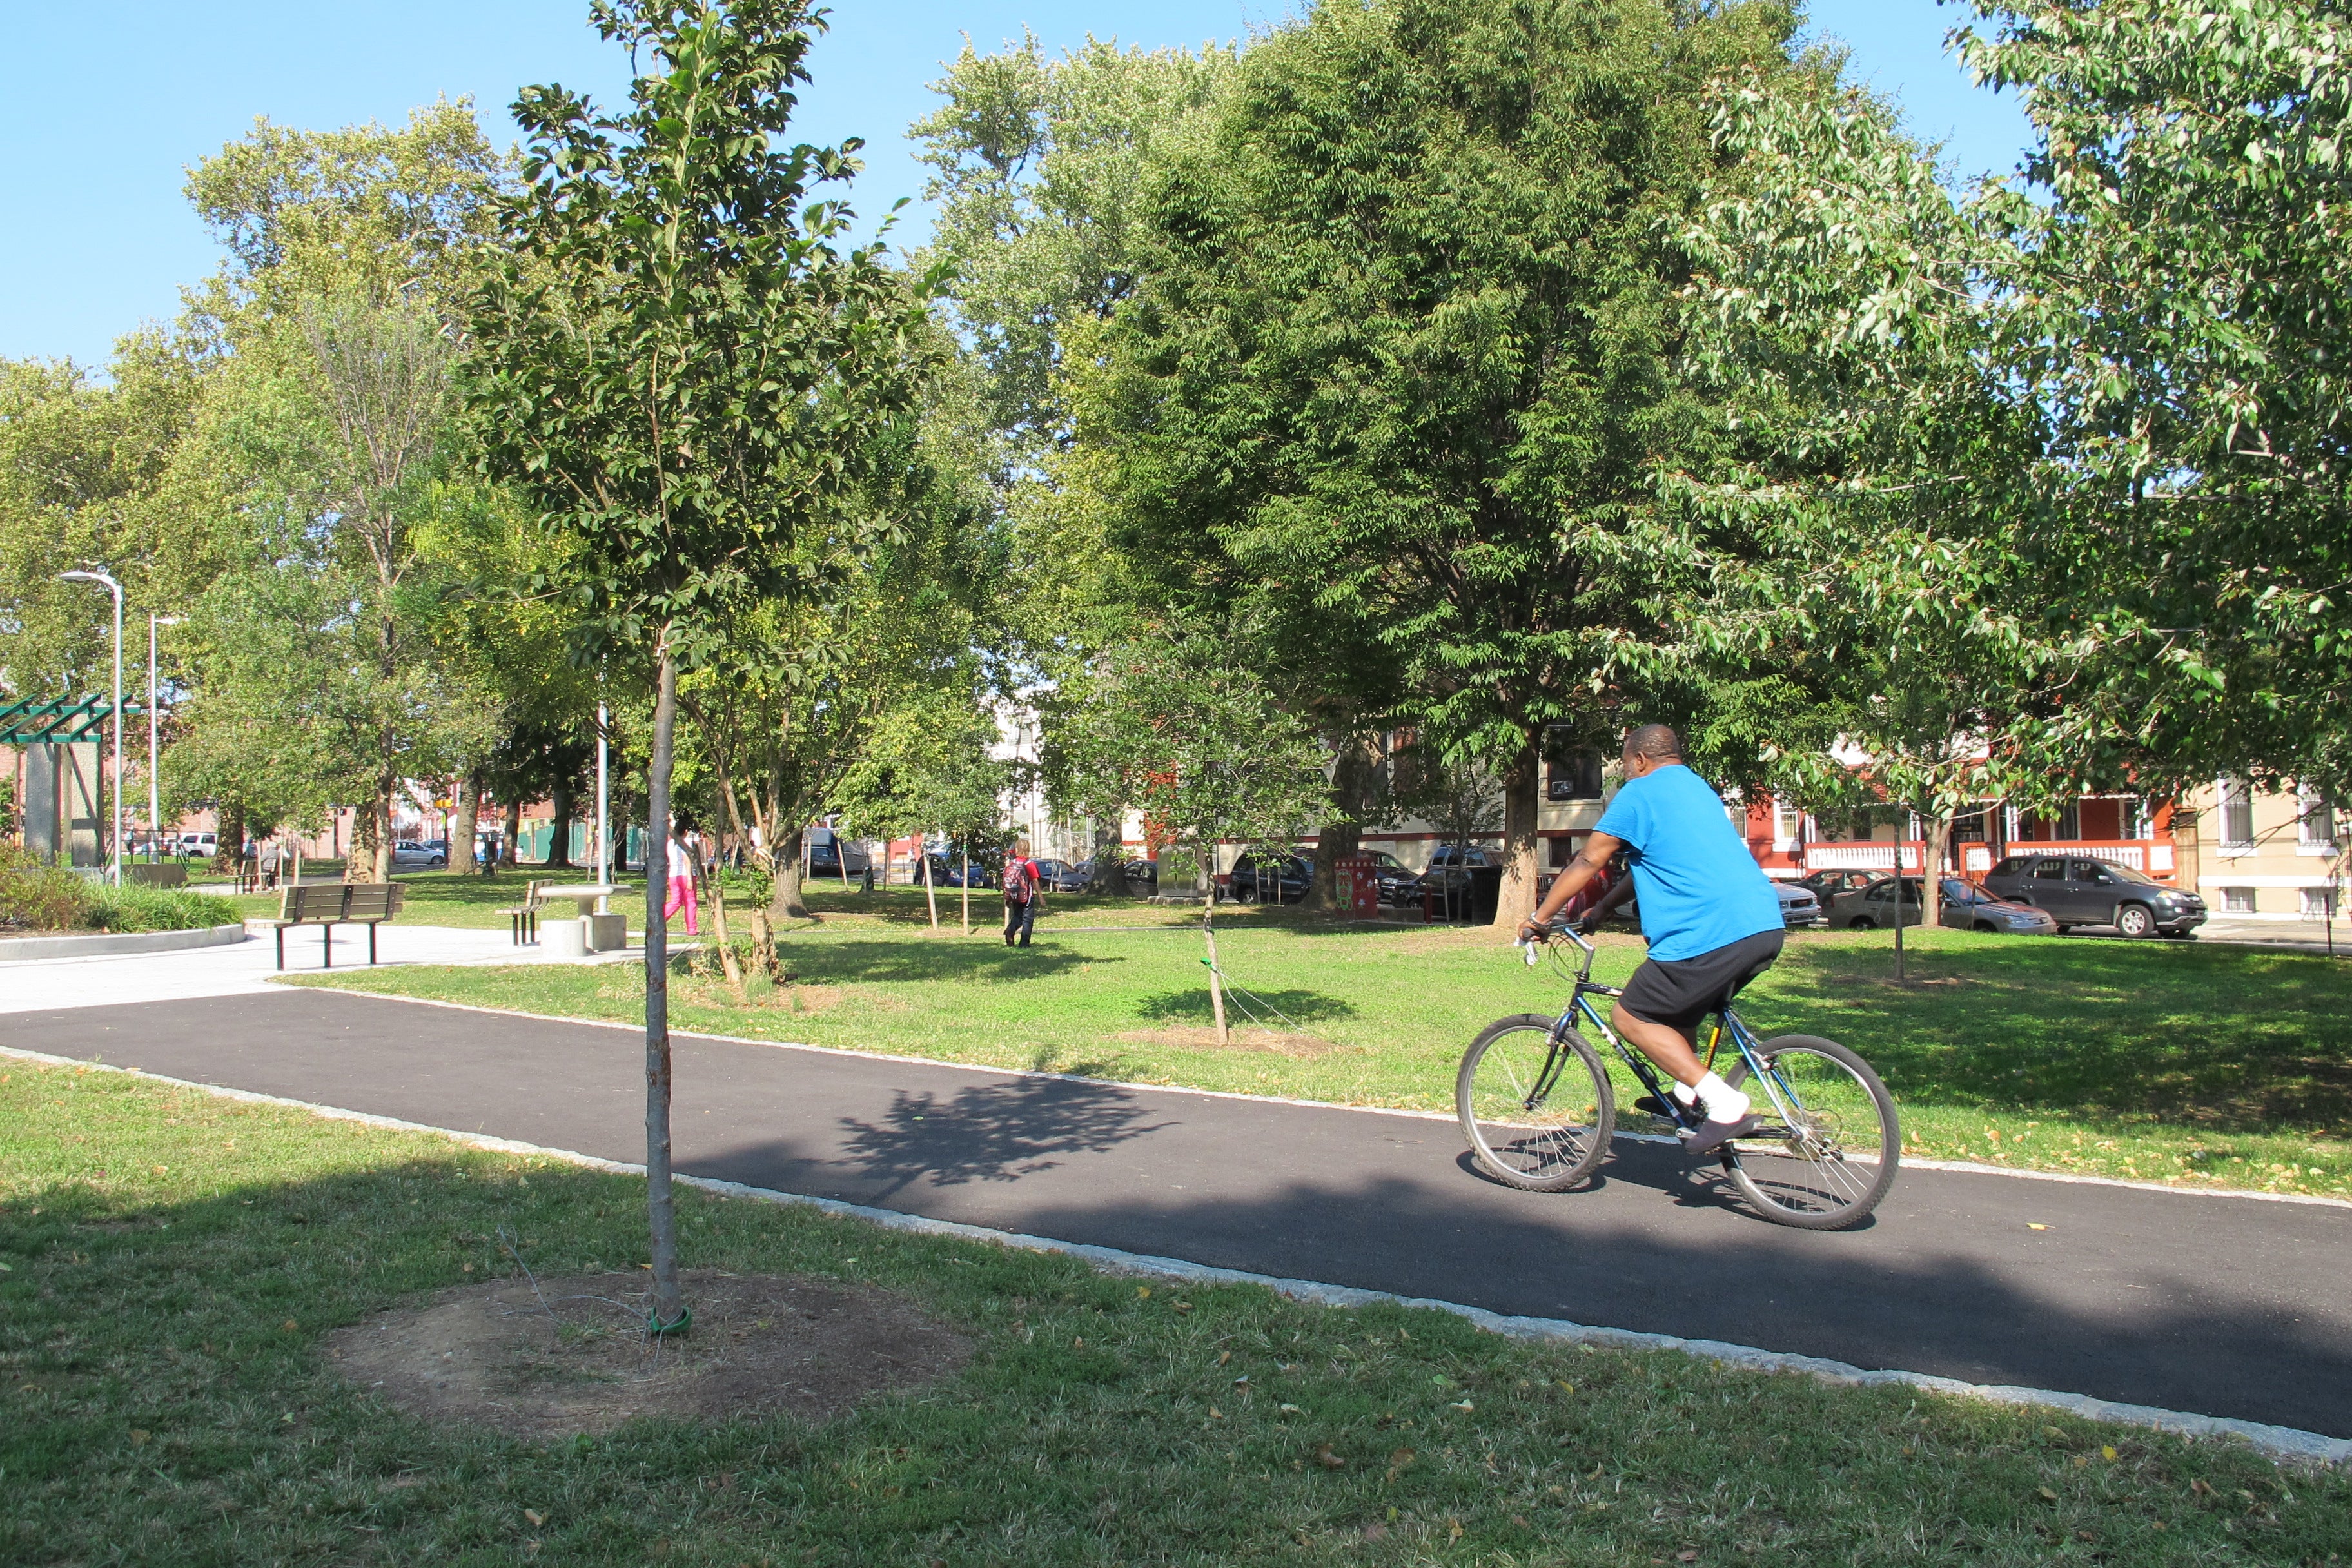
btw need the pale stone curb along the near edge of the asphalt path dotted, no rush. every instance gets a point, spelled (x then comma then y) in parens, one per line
(2283, 1445)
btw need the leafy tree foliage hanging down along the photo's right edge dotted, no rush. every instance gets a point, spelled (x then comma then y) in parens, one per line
(2179, 300)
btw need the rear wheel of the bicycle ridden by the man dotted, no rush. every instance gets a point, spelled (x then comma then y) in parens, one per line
(1791, 1181)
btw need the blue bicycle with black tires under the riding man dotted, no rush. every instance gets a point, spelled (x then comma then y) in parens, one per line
(1539, 1108)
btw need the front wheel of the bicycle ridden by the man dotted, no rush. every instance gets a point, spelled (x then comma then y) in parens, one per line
(1537, 1113)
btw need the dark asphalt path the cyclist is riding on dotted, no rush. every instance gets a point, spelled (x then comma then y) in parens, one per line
(2181, 1301)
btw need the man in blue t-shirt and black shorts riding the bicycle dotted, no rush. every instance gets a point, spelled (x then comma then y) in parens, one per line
(1709, 913)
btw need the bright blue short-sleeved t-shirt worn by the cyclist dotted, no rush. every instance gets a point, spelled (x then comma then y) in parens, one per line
(1692, 871)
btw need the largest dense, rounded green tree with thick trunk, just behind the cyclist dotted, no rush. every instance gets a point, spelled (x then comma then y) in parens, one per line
(1405, 356)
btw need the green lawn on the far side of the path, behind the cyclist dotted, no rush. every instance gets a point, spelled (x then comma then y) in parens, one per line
(2177, 1064)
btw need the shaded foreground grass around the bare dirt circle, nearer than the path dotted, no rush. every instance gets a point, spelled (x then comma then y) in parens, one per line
(175, 1259)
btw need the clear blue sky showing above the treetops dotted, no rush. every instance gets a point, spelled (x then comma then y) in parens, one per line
(102, 109)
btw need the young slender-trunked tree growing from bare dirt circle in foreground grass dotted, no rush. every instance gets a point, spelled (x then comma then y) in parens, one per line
(683, 377)
